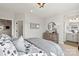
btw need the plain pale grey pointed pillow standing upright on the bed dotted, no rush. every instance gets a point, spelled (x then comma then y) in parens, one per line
(19, 44)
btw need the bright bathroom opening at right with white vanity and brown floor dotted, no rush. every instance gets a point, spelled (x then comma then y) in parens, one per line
(71, 32)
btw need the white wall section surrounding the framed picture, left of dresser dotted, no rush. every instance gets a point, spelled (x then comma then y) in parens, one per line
(33, 33)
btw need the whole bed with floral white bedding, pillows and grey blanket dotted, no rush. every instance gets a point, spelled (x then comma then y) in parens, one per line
(28, 47)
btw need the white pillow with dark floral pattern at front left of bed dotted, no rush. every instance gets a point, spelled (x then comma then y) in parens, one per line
(8, 49)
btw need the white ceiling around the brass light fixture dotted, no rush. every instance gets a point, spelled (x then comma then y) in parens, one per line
(50, 9)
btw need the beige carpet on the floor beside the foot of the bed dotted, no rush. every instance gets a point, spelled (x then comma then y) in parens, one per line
(70, 50)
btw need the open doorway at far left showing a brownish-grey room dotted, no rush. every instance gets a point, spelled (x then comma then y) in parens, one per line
(6, 27)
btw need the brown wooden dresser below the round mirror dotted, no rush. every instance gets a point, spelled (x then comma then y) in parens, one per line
(51, 36)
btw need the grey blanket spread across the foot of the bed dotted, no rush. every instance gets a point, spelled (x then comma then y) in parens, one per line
(48, 46)
